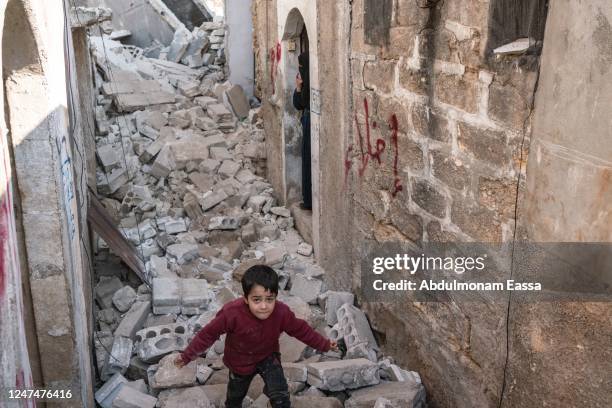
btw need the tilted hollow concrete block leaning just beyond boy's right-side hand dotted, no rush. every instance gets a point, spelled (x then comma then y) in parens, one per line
(354, 327)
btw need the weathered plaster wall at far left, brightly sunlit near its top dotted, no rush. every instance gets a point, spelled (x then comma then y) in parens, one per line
(36, 41)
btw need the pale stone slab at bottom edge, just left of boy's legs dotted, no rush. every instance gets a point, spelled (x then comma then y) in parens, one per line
(192, 397)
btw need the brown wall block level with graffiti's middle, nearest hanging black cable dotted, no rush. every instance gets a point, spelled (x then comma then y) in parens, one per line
(484, 144)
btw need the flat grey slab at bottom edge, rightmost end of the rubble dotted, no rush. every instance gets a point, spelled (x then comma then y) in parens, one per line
(398, 394)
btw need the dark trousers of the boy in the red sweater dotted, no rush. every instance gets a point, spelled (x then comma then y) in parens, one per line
(275, 388)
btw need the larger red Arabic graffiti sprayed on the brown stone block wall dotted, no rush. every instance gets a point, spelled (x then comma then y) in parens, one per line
(367, 152)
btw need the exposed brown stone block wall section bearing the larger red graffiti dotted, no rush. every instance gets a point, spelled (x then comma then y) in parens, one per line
(435, 156)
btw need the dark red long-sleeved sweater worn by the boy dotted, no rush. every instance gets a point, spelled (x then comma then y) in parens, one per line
(250, 340)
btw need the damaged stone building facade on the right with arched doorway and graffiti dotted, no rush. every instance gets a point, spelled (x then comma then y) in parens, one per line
(421, 133)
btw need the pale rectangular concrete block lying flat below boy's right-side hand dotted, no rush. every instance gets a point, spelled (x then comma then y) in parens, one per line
(343, 374)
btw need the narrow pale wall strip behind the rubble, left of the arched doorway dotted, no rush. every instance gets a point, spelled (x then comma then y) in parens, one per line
(239, 44)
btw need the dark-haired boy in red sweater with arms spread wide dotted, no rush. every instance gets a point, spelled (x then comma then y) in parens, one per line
(253, 326)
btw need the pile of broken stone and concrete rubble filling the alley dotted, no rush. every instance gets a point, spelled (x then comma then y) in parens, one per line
(181, 160)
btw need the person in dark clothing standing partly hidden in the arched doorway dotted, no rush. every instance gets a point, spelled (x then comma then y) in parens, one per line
(301, 102)
